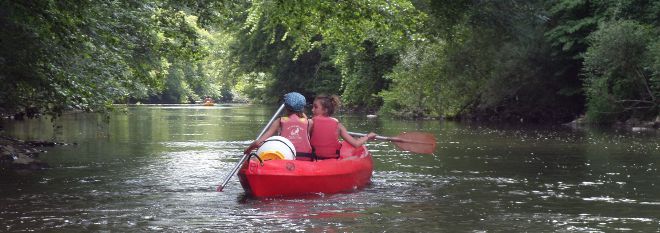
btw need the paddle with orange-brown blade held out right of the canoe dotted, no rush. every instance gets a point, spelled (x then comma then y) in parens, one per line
(416, 142)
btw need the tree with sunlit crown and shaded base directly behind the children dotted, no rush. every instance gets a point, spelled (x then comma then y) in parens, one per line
(332, 46)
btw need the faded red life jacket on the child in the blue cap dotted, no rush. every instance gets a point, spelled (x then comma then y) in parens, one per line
(296, 129)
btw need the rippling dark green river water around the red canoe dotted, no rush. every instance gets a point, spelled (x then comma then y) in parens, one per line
(156, 168)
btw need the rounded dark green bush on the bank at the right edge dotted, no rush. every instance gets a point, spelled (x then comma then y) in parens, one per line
(621, 82)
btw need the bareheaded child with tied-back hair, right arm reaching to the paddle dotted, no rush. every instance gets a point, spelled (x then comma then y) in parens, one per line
(326, 130)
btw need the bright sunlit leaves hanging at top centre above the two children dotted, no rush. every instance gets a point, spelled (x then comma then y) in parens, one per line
(311, 23)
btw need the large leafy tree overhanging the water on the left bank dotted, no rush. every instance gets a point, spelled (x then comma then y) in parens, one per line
(57, 55)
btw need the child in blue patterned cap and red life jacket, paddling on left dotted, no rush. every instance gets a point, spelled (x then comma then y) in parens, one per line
(294, 126)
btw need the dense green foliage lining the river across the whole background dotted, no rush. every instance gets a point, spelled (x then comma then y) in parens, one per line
(525, 61)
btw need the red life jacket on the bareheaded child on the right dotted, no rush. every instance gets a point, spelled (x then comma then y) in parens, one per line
(325, 137)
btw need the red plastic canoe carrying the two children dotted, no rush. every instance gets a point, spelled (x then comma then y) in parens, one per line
(294, 177)
